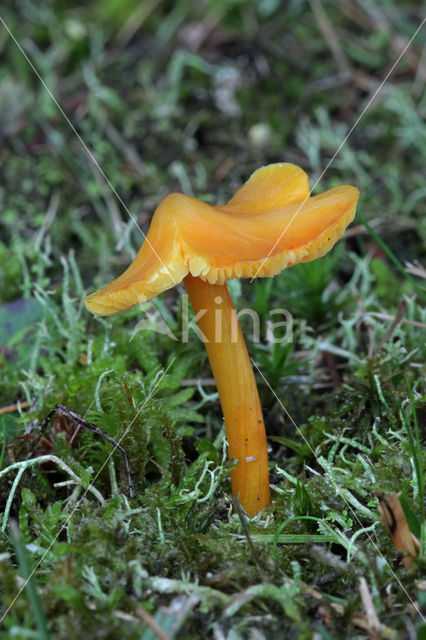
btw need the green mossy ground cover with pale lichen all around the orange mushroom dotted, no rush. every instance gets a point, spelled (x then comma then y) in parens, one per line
(160, 117)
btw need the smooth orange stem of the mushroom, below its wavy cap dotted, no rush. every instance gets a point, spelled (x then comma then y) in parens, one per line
(230, 362)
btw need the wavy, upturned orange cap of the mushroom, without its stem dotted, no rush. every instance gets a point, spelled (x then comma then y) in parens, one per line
(269, 224)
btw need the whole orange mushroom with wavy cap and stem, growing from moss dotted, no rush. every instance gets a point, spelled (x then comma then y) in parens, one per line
(270, 223)
